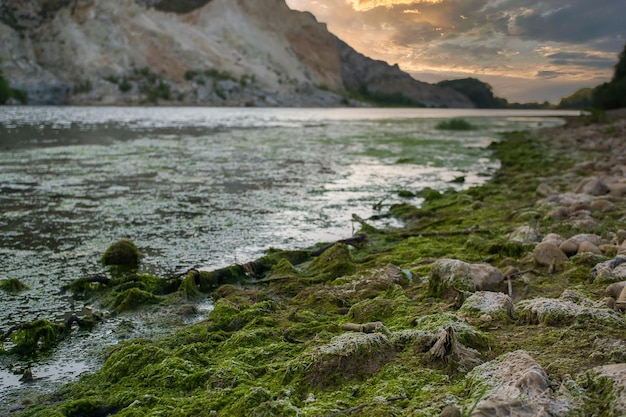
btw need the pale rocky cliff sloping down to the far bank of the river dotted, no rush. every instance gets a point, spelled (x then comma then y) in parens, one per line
(207, 52)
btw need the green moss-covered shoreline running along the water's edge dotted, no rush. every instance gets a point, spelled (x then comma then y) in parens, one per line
(359, 328)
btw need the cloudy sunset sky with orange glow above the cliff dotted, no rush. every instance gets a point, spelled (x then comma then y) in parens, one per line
(527, 50)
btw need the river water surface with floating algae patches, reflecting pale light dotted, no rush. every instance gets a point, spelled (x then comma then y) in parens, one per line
(201, 188)
